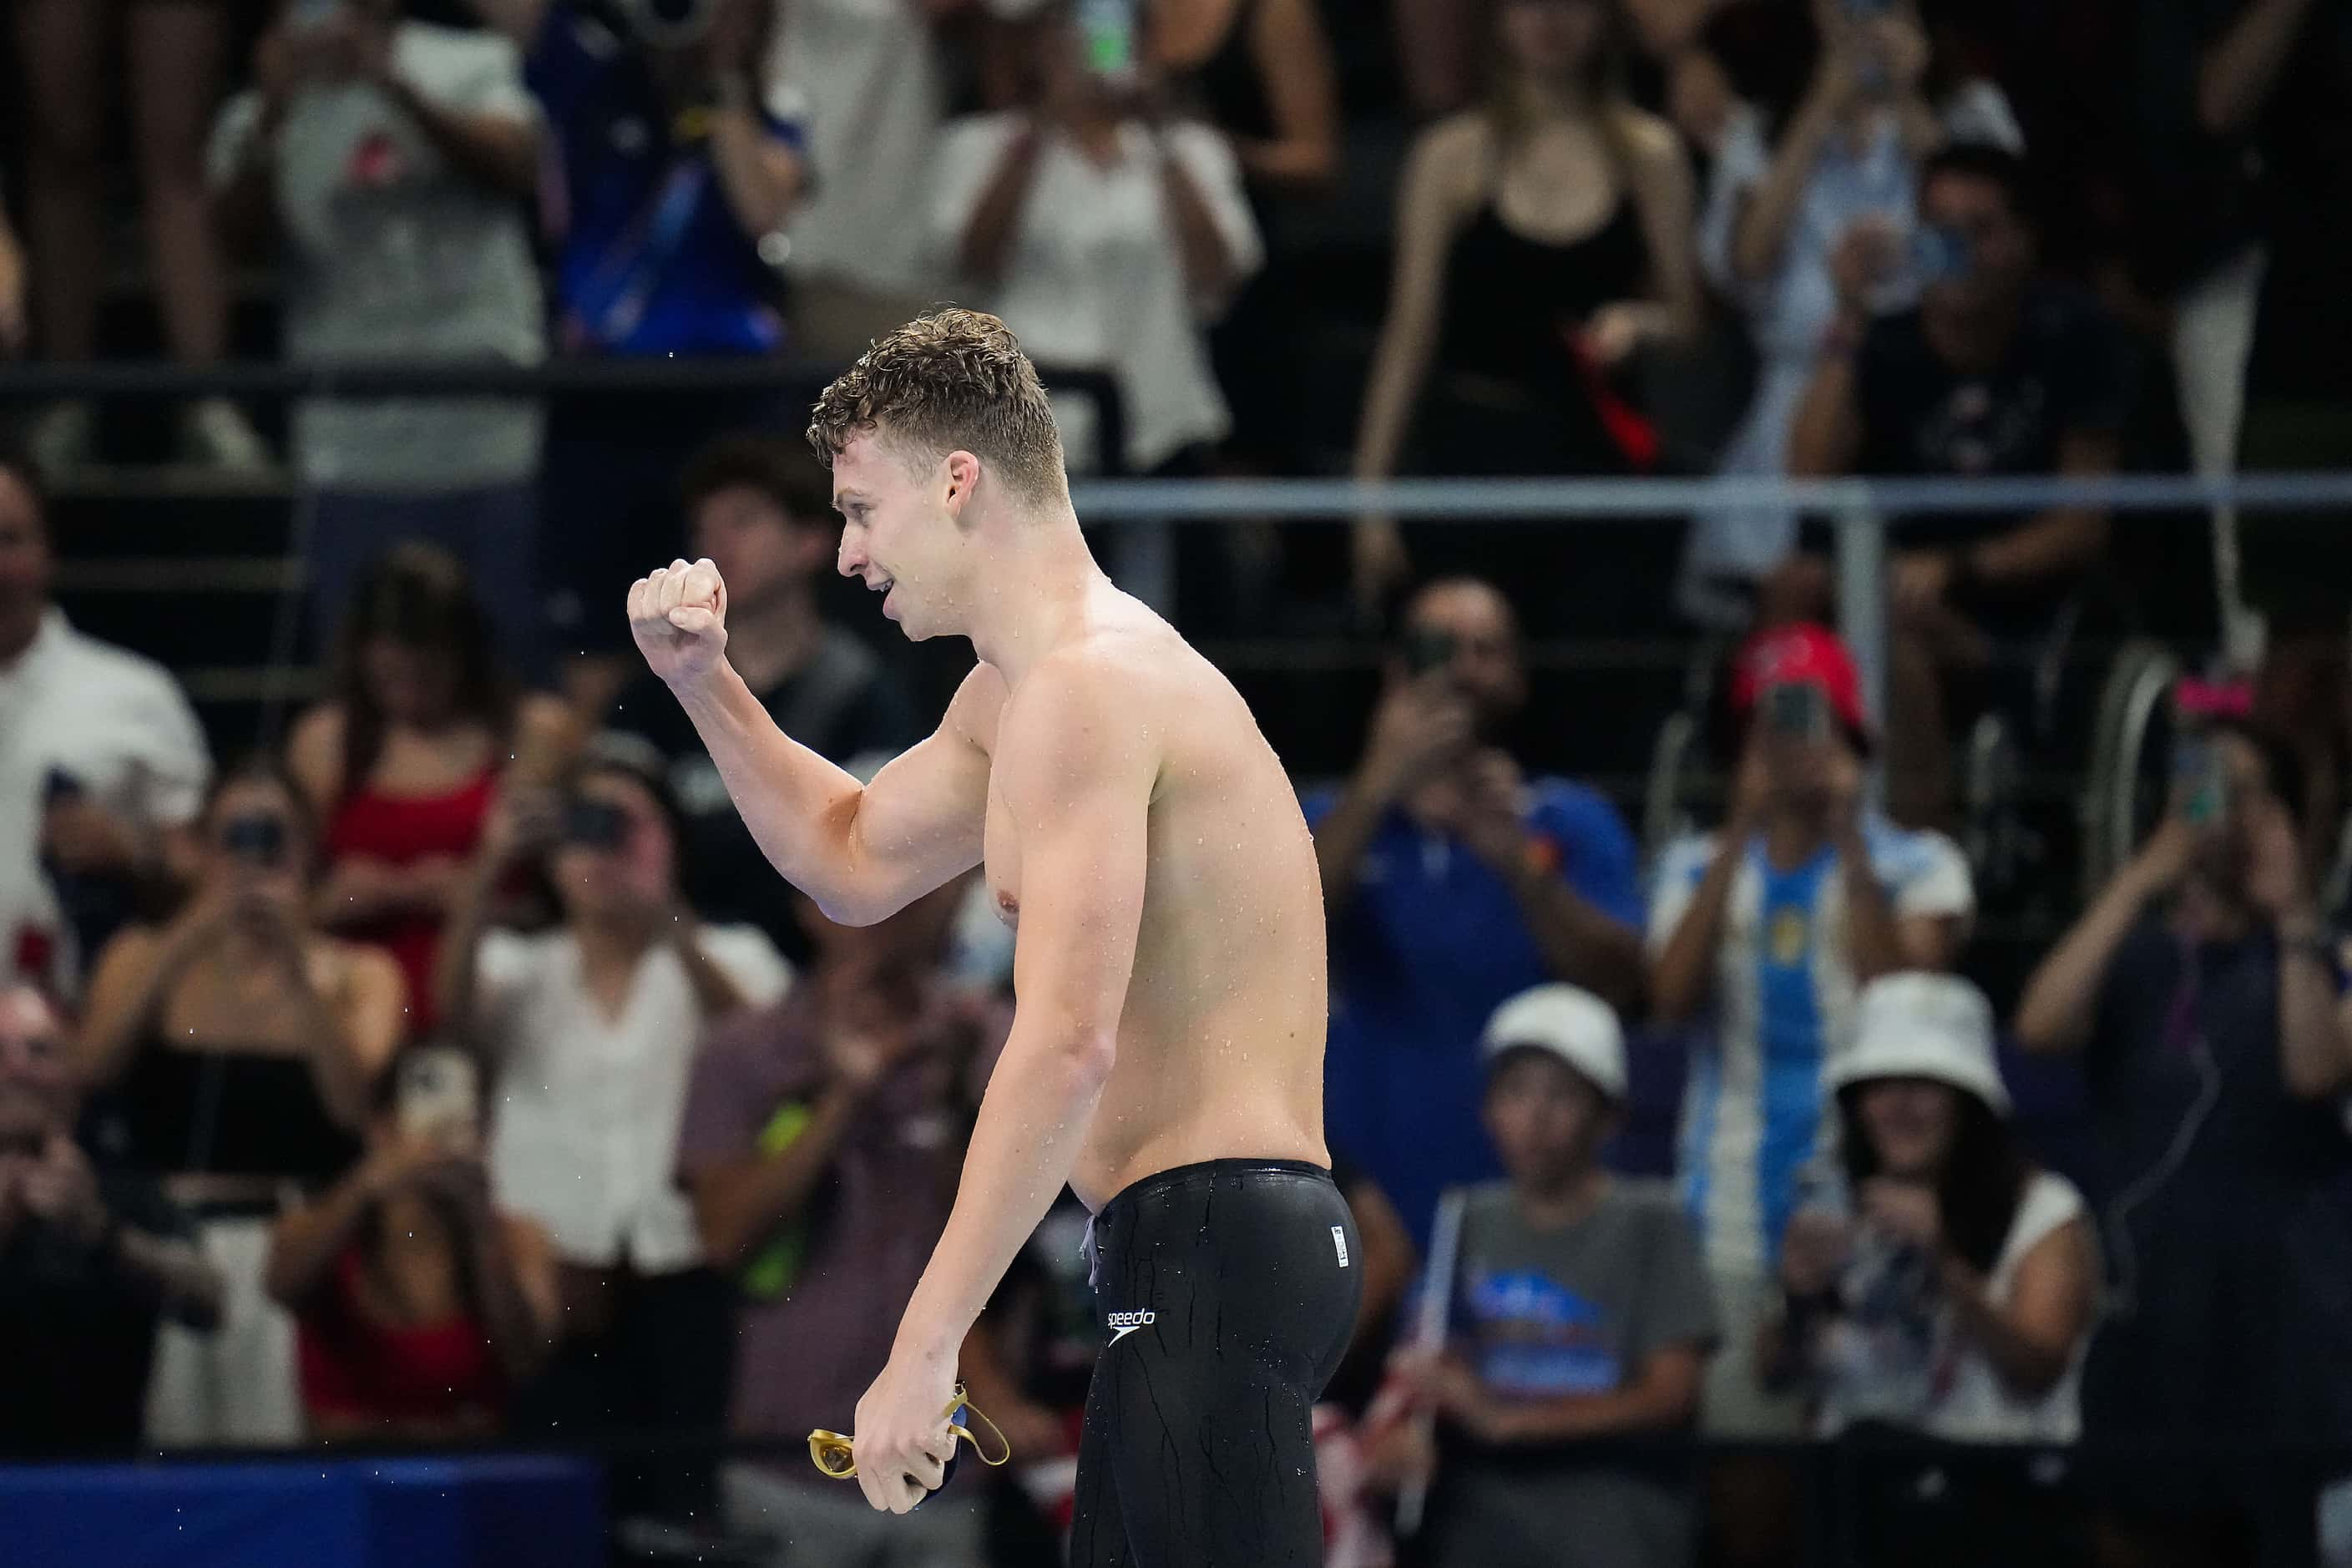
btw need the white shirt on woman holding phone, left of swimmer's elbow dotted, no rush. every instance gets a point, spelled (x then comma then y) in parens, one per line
(584, 1120)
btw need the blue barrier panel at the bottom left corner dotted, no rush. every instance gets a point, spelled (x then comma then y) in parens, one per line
(516, 1513)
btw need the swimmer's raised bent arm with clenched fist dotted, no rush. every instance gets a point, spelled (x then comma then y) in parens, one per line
(862, 852)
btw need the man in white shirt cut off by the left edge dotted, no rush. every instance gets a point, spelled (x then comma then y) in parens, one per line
(100, 760)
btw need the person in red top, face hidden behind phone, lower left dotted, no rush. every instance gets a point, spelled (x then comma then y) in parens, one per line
(417, 1304)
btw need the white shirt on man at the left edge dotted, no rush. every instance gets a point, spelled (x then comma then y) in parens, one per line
(116, 725)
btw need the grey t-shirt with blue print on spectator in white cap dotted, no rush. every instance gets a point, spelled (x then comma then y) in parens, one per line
(1575, 1311)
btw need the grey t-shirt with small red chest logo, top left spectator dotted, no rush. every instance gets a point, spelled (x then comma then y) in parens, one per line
(396, 255)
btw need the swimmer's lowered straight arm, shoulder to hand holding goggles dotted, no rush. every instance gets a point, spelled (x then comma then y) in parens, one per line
(1078, 784)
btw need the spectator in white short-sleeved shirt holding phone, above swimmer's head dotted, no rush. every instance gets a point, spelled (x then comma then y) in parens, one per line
(1104, 234)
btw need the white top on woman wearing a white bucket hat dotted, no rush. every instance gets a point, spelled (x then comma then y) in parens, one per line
(1935, 1379)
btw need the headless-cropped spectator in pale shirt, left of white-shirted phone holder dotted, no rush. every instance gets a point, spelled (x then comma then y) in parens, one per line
(871, 83)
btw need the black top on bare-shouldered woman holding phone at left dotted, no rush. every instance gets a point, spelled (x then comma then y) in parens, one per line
(229, 1113)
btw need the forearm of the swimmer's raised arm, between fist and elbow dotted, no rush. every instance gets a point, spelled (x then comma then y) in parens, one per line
(799, 808)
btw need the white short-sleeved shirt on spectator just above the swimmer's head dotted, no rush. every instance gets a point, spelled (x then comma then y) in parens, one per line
(1095, 276)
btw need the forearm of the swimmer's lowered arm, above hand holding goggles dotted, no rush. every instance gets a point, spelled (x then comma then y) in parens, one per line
(1031, 1127)
